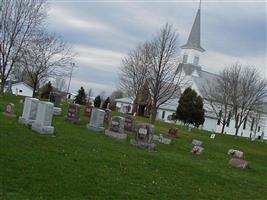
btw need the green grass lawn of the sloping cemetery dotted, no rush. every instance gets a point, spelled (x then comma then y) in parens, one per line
(80, 164)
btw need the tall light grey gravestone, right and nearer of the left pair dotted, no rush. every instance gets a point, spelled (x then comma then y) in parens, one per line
(44, 118)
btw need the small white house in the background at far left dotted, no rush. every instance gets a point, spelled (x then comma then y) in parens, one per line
(18, 88)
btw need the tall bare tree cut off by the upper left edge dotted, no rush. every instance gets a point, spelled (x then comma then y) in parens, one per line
(19, 19)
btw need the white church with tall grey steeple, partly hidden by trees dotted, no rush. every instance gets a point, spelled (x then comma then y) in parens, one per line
(191, 54)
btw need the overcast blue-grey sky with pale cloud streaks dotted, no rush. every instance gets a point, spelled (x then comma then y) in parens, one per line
(102, 32)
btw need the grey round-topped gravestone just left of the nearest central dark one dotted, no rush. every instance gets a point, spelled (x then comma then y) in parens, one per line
(116, 128)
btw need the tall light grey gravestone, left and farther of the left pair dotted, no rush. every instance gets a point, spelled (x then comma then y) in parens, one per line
(29, 111)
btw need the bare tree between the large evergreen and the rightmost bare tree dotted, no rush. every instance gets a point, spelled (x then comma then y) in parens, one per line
(216, 95)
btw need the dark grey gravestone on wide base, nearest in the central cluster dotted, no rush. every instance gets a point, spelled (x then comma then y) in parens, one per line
(144, 137)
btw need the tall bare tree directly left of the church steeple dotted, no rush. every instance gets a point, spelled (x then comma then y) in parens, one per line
(164, 77)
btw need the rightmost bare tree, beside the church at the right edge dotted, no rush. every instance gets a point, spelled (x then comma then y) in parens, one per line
(248, 89)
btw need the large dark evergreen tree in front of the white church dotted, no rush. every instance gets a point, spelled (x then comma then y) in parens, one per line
(190, 109)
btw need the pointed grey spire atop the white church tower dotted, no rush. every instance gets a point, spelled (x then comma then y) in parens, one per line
(193, 41)
